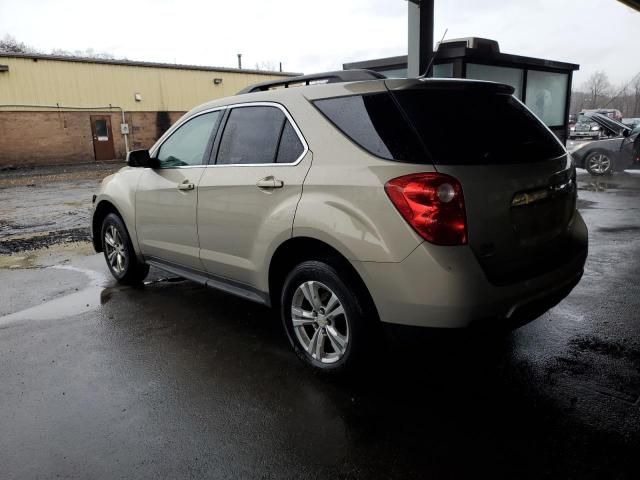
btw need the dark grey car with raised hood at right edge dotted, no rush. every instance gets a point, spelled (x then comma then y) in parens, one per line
(616, 151)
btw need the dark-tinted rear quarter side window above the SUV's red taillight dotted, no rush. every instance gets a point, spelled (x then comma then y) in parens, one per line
(375, 123)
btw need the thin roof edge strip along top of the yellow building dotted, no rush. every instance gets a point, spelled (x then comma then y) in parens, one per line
(134, 63)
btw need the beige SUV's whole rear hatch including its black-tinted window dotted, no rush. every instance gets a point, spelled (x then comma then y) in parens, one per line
(517, 180)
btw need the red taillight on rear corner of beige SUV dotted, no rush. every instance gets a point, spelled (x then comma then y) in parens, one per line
(433, 204)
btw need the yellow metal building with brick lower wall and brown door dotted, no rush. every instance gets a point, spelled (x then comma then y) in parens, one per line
(57, 109)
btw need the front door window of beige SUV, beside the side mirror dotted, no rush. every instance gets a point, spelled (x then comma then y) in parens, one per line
(187, 145)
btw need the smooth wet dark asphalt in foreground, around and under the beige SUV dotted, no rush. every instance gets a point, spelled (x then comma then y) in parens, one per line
(172, 380)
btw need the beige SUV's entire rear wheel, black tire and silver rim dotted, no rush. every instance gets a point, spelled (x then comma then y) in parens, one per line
(324, 318)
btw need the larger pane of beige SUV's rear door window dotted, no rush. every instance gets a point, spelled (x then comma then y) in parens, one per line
(251, 135)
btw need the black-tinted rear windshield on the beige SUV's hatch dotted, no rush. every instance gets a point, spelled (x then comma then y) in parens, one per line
(477, 127)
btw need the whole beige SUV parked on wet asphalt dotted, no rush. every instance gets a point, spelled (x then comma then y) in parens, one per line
(354, 203)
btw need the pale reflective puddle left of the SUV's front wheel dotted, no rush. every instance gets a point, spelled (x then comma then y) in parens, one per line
(70, 305)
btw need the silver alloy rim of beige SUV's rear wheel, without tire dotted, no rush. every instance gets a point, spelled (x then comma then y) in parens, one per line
(320, 322)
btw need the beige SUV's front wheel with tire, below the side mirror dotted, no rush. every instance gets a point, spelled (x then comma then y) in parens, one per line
(119, 253)
